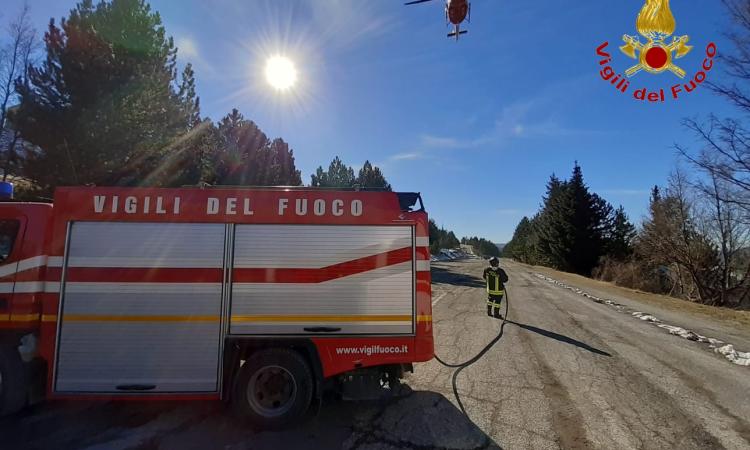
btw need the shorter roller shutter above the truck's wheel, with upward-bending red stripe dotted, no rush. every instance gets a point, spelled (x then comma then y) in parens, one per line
(297, 279)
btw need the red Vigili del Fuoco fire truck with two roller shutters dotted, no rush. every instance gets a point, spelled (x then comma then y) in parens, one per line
(262, 297)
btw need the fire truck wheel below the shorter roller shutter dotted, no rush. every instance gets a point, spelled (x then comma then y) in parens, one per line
(274, 388)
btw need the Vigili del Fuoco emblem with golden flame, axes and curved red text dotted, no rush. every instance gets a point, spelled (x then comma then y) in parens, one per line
(656, 55)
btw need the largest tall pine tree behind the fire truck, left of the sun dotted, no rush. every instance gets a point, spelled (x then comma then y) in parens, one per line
(105, 106)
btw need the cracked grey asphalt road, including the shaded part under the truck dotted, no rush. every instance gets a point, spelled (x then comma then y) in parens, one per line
(567, 373)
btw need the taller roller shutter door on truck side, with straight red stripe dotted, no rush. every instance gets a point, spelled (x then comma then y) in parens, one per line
(141, 308)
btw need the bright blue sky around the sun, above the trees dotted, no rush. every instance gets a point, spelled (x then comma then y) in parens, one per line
(477, 125)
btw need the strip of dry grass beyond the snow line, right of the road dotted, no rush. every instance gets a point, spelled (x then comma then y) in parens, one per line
(730, 316)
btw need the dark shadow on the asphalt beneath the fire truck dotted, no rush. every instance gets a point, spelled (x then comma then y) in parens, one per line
(420, 419)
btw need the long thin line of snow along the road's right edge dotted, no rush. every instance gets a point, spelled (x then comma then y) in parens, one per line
(718, 346)
